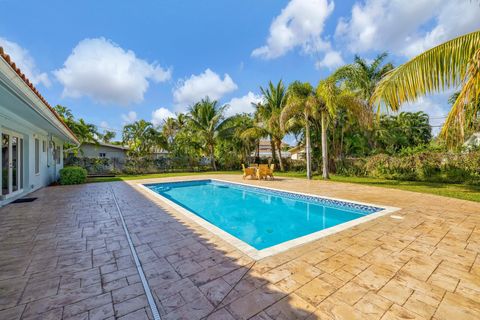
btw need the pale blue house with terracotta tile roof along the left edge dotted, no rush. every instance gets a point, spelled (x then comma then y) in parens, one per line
(32, 135)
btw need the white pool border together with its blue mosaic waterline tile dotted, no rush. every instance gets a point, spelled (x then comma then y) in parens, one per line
(366, 210)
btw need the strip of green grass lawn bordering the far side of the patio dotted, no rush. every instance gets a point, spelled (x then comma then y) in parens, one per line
(460, 191)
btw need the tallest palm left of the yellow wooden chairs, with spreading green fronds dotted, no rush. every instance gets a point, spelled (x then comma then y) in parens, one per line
(207, 119)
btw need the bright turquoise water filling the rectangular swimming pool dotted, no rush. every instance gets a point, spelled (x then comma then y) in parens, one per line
(260, 217)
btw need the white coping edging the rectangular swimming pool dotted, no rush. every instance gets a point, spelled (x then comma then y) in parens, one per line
(287, 245)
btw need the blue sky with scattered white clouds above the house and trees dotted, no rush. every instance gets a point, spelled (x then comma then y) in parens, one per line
(115, 61)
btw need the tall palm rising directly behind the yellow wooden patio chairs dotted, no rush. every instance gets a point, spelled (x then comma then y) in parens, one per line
(269, 113)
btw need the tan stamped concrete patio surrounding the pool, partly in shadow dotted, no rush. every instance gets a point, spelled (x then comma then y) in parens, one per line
(65, 256)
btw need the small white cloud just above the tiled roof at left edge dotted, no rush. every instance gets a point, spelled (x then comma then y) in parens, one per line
(25, 62)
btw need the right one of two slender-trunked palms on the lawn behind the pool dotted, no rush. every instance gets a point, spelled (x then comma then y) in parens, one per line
(330, 98)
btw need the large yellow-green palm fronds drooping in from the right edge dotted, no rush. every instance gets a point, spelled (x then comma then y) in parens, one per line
(451, 64)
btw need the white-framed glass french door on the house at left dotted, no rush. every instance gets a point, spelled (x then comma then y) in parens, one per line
(12, 164)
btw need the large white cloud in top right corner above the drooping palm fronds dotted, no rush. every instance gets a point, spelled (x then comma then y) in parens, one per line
(406, 27)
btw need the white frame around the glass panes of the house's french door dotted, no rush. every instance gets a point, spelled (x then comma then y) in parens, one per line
(20, 162)
